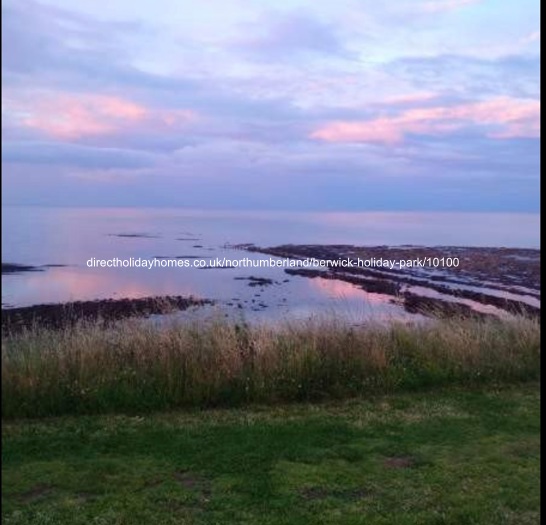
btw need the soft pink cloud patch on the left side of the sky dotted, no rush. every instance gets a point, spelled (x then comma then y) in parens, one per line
(68, 116)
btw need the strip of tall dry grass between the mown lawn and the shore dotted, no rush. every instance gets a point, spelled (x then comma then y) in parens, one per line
(134, 367)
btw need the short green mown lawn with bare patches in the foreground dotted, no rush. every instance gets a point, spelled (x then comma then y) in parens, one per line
(453, 456)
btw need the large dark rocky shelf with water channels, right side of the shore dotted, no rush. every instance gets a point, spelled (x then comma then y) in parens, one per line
(485, 280)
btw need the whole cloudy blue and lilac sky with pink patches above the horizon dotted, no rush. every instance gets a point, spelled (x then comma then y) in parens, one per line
(352, 105)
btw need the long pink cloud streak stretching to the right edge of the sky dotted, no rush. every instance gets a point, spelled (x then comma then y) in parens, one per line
(506, 116)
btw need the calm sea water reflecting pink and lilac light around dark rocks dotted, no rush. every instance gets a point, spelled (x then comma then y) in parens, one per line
(71, 236)
